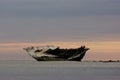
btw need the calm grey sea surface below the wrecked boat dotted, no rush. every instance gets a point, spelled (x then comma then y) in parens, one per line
(58, 70)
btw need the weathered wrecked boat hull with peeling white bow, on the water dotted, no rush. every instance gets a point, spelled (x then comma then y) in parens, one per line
(53, 53)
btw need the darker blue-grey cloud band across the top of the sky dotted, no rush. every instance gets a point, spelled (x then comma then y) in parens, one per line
(59, 8)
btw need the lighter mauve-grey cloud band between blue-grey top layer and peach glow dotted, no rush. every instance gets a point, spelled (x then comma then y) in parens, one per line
(60, 29)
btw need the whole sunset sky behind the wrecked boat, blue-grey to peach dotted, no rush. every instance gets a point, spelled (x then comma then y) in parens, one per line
(67, 23)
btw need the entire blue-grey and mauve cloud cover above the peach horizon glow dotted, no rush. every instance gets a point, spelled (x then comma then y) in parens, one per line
(59, 20)
